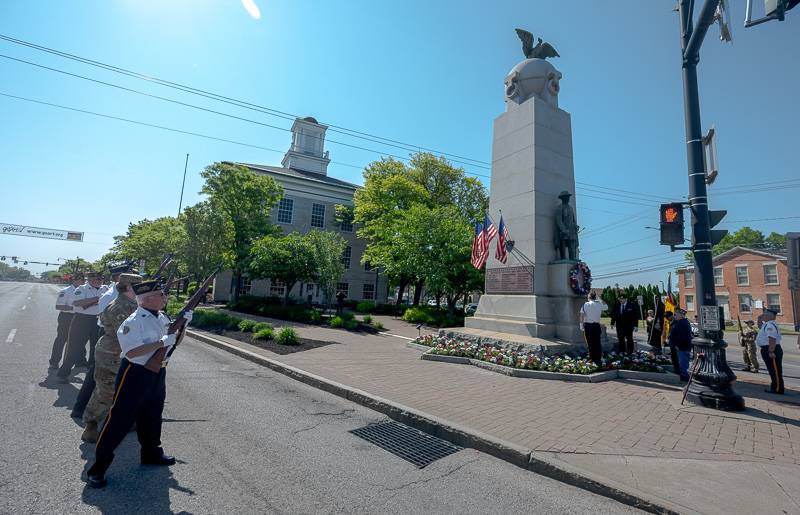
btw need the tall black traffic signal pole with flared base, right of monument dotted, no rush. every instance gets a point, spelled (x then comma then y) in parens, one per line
(712, 383)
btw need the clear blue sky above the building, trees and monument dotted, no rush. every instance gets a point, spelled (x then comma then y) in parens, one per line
(428, 73)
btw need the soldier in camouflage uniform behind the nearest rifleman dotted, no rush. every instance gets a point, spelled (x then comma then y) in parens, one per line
(107, 356)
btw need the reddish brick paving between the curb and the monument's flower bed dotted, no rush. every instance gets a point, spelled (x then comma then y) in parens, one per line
(614, 418)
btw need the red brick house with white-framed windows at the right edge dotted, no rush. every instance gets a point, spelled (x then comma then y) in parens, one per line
(746, 281)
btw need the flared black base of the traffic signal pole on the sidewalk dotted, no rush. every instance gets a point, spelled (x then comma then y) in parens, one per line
(711, 385)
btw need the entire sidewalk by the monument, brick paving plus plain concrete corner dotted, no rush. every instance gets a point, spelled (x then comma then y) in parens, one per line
(634, 437)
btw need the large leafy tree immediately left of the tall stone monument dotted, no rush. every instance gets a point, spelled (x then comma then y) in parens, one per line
(395, 238)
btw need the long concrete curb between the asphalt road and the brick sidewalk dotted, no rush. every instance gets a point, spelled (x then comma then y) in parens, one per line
(536, 462)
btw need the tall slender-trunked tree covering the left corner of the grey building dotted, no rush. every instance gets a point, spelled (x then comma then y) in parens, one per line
(245, 199)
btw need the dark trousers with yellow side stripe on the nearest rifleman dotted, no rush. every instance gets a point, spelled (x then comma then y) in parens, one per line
(139, 397)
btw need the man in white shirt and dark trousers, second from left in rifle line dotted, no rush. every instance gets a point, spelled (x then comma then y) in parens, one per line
(84, 324)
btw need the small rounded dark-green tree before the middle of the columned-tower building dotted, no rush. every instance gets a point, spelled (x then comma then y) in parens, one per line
(287, 259)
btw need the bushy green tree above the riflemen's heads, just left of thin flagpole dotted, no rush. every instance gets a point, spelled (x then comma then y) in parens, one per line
(151, 240)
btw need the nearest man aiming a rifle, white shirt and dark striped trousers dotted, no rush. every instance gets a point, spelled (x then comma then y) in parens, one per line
(140, 393)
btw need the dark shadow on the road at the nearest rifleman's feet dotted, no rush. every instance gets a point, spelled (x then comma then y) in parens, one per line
(132, 488)
